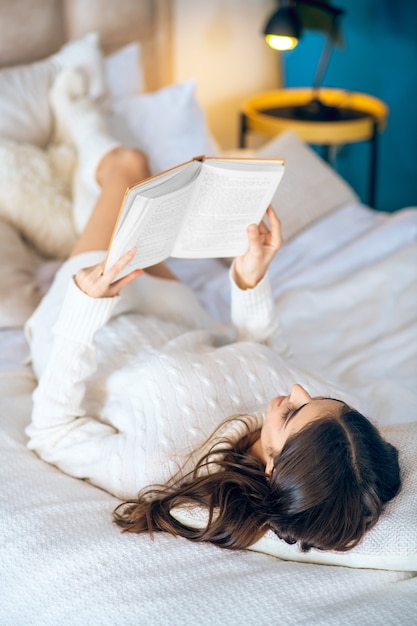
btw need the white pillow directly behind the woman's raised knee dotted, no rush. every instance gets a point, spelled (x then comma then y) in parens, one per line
(168, 125)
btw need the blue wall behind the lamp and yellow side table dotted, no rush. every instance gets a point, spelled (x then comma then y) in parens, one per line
(380, 58)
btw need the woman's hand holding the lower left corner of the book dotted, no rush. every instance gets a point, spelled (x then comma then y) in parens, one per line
(99, 283)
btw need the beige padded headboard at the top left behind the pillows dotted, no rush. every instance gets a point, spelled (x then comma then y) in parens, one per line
(34, 29)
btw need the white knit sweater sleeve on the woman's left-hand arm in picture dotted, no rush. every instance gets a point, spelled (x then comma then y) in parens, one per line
(60, 432)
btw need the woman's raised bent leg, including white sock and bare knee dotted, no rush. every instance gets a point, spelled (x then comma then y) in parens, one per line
(104, 166)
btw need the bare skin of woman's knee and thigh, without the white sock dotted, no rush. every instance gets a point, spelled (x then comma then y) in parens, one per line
(118, 169)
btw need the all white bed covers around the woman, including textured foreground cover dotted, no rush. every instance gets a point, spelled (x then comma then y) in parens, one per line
(347, 299)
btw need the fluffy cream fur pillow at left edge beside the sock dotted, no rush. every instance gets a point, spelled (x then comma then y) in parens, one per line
(35, 195)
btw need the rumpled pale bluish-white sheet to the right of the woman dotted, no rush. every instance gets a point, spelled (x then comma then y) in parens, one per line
(346, 294)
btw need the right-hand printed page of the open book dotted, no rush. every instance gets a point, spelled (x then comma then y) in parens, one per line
(224, 203)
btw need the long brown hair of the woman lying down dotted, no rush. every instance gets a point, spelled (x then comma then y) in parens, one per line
(328, 487)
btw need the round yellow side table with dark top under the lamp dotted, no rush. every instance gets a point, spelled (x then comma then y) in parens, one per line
(338, 118)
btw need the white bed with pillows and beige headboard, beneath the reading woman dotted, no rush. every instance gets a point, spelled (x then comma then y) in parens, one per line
(345, 285)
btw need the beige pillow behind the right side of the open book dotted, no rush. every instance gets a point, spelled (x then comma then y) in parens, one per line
(310, 188)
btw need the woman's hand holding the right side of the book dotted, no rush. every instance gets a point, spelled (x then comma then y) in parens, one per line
(264, 243)
